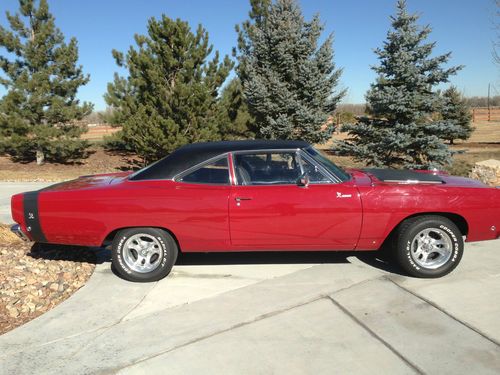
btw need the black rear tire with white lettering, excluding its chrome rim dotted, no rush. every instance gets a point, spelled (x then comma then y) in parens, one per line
(168, 249)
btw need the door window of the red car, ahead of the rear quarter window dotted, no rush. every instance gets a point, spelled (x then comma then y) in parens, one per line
(267, 168)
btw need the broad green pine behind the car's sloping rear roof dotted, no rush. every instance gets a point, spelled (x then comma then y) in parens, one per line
(170, 97)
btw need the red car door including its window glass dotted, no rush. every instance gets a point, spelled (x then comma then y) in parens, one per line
(269, 210)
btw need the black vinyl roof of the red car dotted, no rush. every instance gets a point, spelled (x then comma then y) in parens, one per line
(190, 155)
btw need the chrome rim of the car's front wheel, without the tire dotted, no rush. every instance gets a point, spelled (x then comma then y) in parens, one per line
(431, 248)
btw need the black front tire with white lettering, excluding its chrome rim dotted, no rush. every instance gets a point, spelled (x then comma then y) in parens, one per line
(407, 238)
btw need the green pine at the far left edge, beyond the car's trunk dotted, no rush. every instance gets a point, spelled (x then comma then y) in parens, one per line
(41, 75)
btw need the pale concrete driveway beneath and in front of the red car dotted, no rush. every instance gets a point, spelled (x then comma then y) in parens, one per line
(272, 313)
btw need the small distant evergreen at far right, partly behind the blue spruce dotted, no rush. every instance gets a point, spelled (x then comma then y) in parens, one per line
(456, 111)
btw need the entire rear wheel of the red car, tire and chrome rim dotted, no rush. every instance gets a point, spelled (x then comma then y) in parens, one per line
(163, 260)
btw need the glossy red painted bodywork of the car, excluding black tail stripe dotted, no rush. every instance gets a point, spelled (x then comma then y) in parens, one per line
(357, 214)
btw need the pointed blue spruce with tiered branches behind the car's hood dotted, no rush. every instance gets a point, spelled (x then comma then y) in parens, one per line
(400, 130)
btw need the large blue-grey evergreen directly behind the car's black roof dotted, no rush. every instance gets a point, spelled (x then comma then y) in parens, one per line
(289, 83)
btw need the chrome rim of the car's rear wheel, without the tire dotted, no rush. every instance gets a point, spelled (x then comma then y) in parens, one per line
(142, 253)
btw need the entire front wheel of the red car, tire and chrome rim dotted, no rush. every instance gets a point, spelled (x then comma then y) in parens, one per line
(408, 255)
